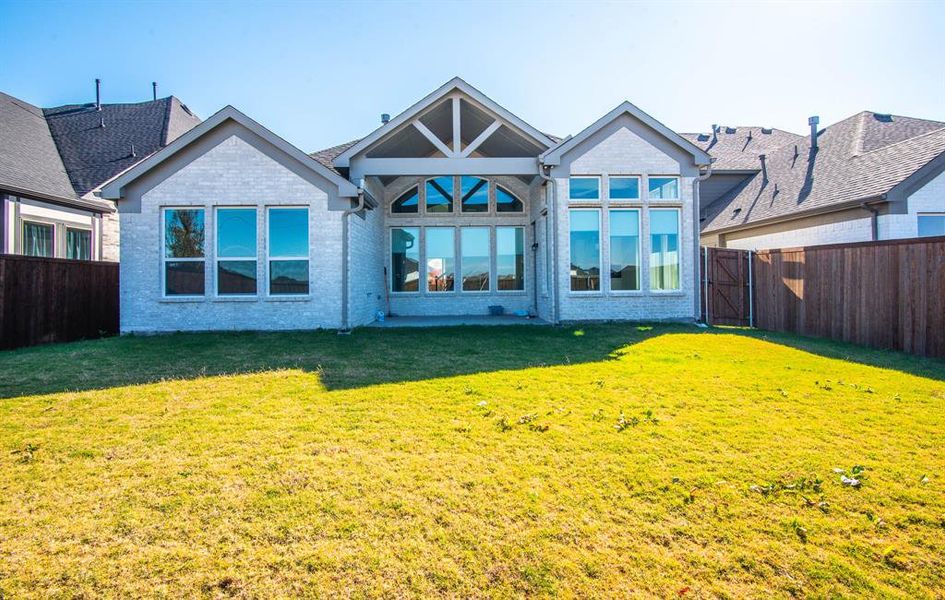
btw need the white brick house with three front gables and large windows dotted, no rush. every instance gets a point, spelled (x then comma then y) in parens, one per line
(452, 207)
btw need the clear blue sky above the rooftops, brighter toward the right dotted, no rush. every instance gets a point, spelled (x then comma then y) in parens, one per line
(319, 74)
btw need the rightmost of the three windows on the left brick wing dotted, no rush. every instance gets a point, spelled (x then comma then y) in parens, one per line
(288, 251)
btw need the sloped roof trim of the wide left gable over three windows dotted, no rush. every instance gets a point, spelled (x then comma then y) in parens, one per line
(113, 188)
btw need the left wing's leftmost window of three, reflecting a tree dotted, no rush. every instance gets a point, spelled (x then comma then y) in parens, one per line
(184, 238)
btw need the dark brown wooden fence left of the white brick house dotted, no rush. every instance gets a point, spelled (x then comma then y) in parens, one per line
(56, 300)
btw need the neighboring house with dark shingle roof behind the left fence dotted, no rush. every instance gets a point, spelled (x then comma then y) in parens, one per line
(53, 160)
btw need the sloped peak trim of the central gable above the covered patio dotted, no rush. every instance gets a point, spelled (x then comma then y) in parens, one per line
(454, 84)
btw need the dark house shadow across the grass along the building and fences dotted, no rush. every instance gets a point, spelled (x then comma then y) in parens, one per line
(368, 356)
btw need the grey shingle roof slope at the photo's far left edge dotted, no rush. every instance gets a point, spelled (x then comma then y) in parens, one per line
(29, 159)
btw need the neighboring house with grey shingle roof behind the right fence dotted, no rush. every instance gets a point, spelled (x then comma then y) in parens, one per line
(869, 177)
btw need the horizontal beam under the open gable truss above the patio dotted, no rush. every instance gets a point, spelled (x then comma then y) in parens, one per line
(364, 167)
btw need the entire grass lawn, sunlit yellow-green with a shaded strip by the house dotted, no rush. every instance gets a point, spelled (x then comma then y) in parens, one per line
(599, 461)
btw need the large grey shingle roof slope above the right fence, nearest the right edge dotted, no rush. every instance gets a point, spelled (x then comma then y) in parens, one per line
(862, 158)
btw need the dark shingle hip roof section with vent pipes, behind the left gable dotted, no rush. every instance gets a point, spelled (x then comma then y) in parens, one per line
(97, 144)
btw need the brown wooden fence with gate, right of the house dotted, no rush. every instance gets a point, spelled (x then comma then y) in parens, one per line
(888, 294)
